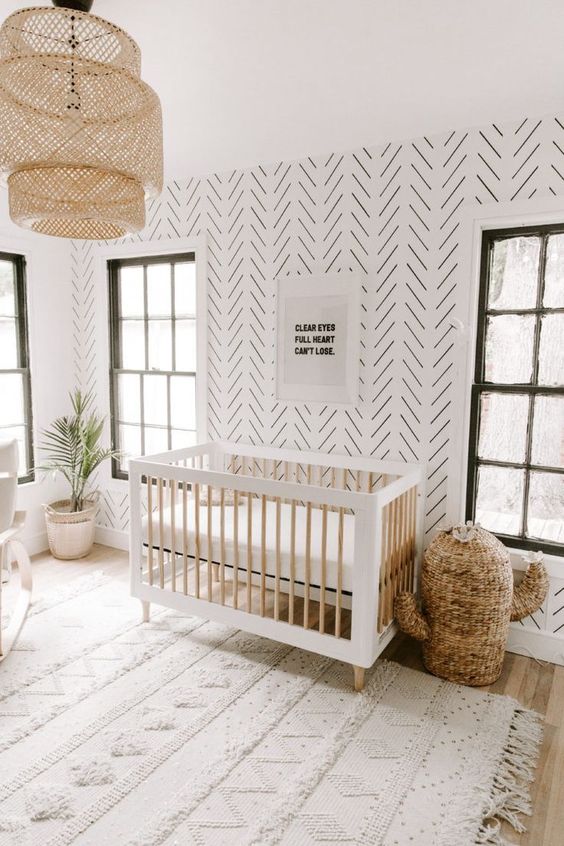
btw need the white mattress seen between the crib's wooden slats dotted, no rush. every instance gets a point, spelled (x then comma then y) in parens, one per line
(177, 544)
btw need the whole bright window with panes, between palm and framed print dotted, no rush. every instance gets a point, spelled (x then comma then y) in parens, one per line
(153, 355)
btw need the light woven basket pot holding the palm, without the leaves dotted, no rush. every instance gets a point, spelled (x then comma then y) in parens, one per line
(70, 533)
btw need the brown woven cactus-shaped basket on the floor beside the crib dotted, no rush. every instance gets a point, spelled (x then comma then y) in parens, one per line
(468, 600)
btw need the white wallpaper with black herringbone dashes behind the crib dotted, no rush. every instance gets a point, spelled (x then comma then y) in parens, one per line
(391, 213)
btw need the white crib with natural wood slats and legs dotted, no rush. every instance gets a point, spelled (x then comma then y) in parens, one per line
(305, 548)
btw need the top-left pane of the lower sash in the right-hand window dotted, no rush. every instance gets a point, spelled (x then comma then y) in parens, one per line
(503, 427)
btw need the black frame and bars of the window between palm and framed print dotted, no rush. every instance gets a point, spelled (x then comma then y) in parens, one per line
(114, 266)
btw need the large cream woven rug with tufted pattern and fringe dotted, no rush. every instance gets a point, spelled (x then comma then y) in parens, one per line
(187, 732)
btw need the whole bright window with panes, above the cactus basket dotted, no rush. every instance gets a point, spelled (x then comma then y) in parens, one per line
(516, 471)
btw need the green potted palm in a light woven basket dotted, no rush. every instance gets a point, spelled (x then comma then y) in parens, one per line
(72, 447)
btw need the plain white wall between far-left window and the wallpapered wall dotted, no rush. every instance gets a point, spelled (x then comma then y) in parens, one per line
(50, 316)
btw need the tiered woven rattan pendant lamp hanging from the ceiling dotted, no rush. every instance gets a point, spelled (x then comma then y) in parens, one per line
(80, 132)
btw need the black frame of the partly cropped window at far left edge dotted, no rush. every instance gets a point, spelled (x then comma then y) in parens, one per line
(23, 357)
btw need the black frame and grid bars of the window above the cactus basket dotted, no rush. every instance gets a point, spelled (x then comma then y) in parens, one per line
(532, 389)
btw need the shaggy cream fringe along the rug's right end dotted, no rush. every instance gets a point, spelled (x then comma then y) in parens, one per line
(510, 796)
